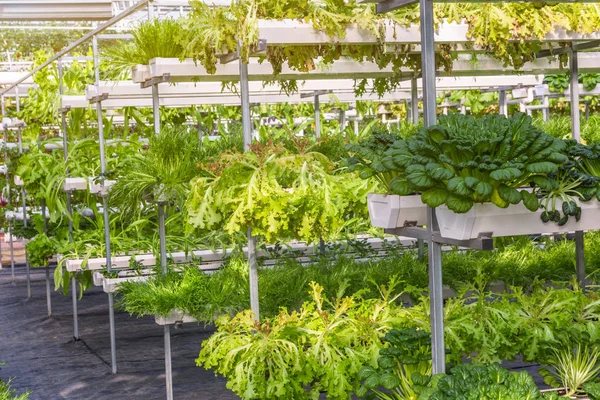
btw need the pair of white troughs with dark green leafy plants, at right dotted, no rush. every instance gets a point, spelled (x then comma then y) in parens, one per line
(490, 175)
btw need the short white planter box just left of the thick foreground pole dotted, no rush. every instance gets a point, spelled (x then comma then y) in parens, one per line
(392, 211)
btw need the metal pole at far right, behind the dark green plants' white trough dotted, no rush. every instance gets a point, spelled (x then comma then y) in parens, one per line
(576, 131)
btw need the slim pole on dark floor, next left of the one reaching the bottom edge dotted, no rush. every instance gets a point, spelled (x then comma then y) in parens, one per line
(111, 310)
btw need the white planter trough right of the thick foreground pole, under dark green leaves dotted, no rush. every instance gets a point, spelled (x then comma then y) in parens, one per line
(514, 220)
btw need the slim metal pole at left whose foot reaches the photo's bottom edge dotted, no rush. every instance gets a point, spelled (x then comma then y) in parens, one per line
(163, 253)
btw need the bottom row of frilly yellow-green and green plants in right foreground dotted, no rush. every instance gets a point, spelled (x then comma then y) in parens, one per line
(377, 349)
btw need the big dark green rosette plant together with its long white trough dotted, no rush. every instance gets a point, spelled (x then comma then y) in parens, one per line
(487, 176)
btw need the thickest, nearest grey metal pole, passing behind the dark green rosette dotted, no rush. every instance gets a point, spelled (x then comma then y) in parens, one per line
(434, 249)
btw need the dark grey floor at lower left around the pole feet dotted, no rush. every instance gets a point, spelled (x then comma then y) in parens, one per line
(41, 355)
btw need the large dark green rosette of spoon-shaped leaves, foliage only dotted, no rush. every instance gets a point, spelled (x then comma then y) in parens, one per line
(463, 160)
